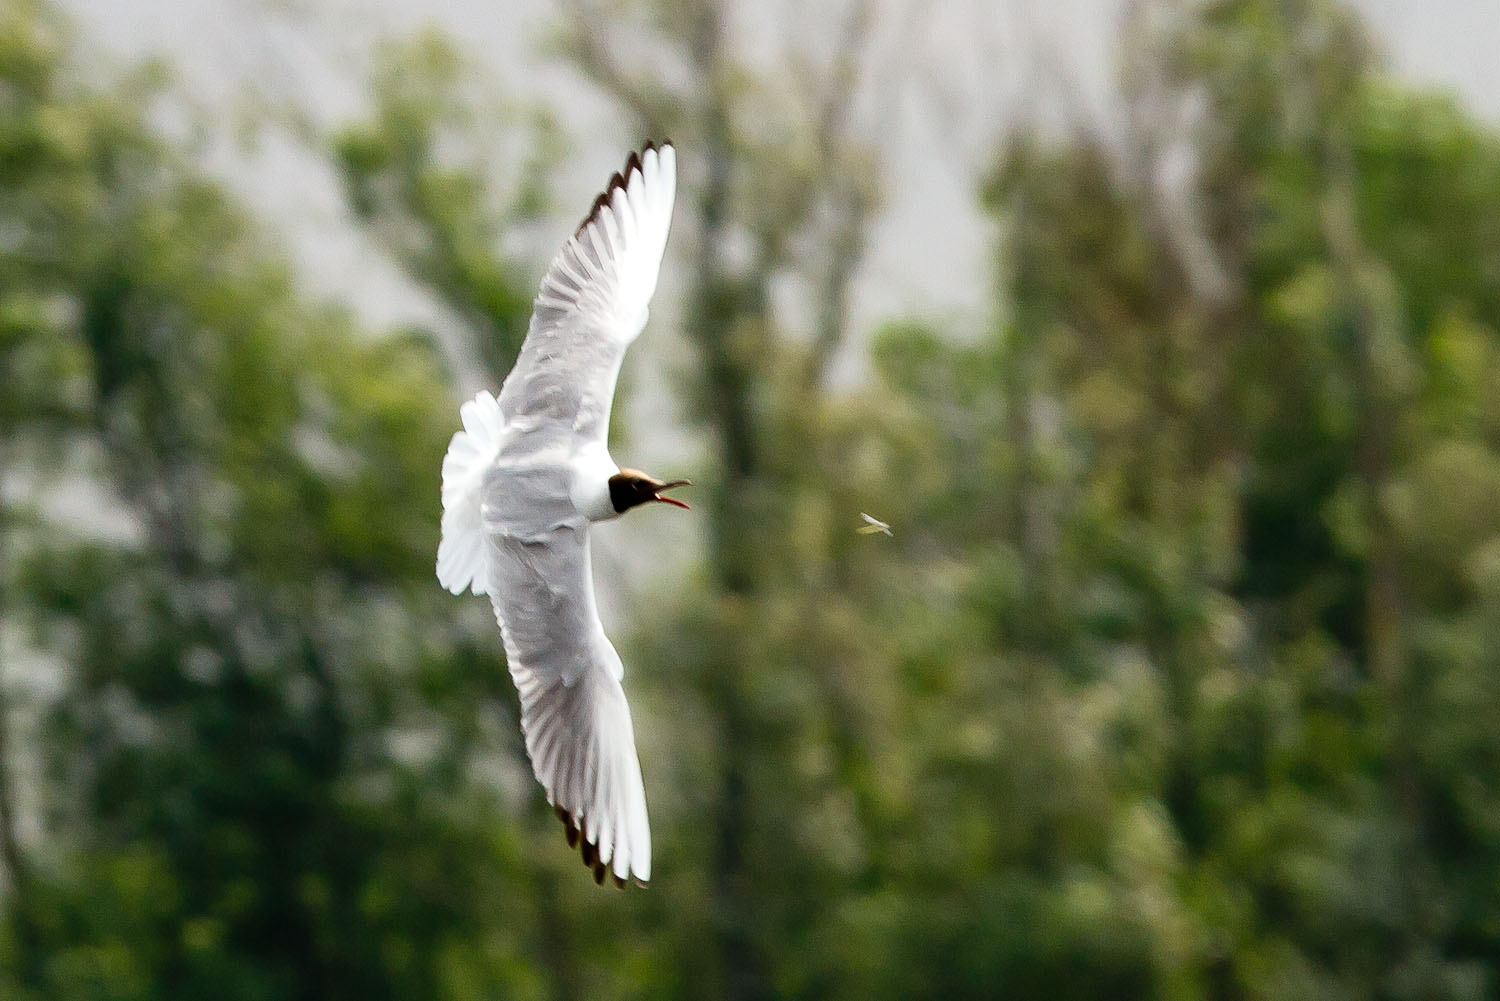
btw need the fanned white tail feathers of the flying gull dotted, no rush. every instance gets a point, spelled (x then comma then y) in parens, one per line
(461, 553)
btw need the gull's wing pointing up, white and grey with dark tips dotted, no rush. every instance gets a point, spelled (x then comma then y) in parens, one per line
(593, 301)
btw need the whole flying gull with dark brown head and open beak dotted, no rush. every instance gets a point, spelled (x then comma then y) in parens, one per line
(524, 481)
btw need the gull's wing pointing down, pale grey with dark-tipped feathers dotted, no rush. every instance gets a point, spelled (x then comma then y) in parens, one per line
(574, 711)
